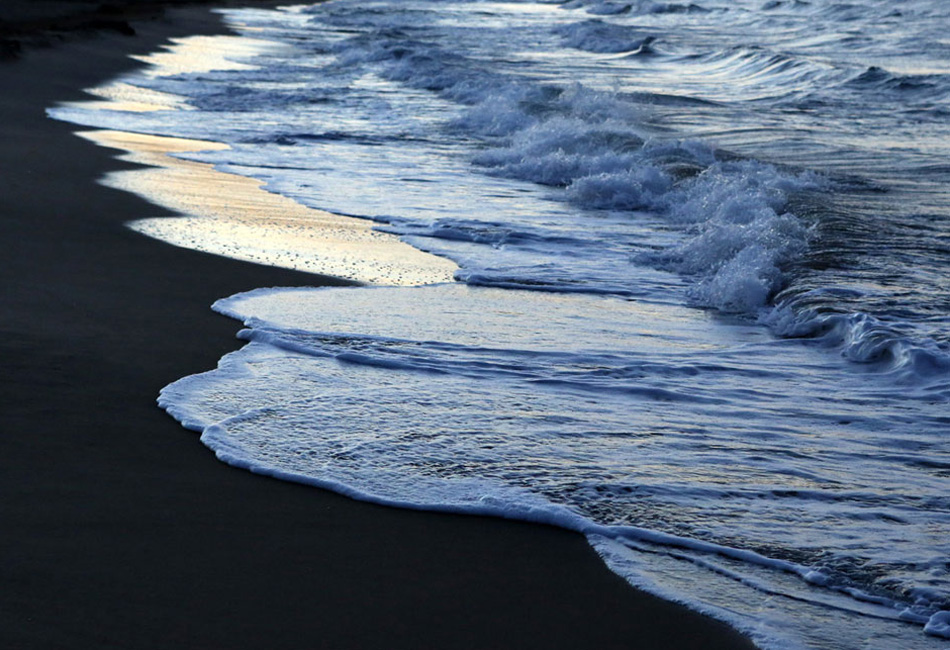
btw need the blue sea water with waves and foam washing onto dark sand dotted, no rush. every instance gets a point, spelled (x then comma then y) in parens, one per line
(702, 306)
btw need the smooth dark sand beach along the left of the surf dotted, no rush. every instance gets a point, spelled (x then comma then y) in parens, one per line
(119, 529)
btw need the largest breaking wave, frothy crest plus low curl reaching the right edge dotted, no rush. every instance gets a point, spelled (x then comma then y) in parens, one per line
(740, 239)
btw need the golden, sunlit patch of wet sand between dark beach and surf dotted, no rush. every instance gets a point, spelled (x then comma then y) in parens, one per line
(223, 215)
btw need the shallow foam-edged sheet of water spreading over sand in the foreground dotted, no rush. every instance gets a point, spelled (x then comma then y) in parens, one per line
(587, 424)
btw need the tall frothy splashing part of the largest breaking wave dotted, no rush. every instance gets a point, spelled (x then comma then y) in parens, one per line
(738, 235)
